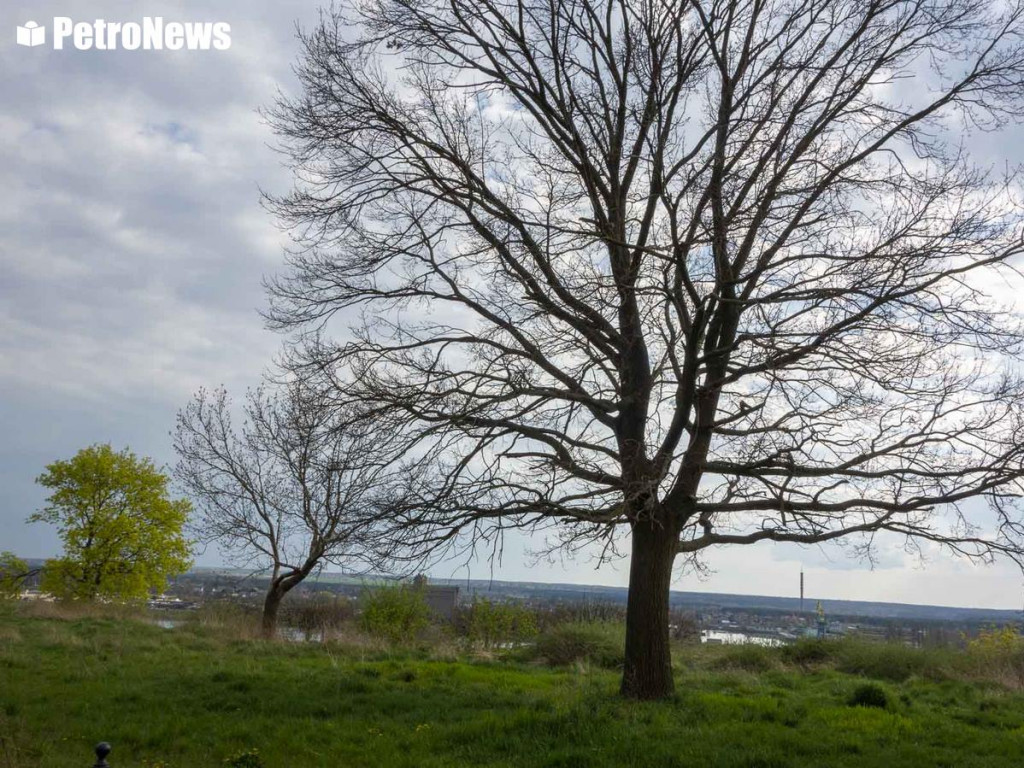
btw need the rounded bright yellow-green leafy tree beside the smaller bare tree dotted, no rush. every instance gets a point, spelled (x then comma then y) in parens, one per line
(122, 533)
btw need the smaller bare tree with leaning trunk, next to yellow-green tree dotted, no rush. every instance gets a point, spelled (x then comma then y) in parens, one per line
(296, 488)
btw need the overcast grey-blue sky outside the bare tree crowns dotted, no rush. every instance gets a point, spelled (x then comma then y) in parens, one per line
(133, 249)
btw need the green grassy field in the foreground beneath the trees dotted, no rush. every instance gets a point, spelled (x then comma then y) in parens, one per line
(202, 694)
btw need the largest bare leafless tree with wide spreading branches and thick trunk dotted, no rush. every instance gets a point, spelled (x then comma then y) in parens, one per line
(710, 272)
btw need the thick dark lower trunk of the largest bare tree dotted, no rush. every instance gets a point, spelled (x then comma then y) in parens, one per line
(648, 672)
